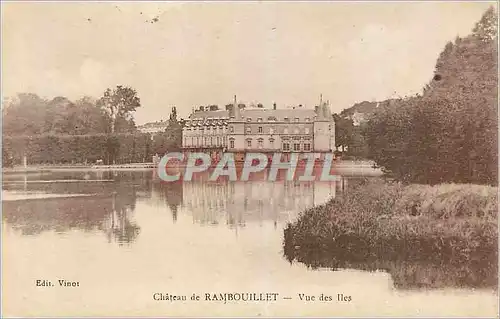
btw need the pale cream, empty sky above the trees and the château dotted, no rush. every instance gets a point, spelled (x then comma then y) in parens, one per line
(187, 54)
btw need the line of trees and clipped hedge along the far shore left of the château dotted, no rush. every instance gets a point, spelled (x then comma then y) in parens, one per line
(61, 131)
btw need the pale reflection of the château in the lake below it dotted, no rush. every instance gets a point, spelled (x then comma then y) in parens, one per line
(238, 203)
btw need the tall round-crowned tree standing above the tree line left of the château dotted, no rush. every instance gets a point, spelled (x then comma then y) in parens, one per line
(119, 104)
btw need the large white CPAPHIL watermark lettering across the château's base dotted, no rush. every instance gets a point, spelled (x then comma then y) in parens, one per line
(304, 167)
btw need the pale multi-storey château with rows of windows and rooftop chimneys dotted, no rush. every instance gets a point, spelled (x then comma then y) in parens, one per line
(256, 129)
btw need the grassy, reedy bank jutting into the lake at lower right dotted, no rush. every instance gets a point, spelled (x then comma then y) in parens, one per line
(379, 222)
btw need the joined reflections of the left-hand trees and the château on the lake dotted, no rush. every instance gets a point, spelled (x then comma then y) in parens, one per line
(111, 207)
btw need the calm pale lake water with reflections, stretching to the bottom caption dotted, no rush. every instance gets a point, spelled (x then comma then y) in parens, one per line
(128, 236)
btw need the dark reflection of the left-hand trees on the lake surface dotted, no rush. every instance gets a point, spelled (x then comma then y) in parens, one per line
(110, 211)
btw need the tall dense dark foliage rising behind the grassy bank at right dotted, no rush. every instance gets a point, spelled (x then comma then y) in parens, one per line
(449, 134)
